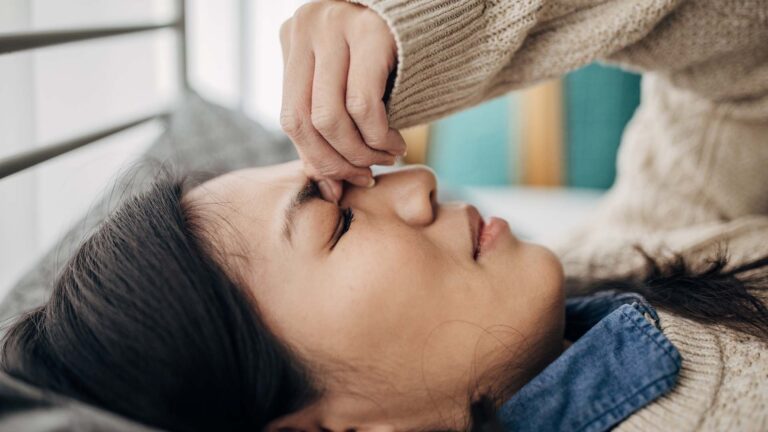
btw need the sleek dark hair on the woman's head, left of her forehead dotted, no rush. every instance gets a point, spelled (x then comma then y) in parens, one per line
(143, 322)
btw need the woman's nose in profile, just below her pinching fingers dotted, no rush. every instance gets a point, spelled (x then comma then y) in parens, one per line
(411, 193)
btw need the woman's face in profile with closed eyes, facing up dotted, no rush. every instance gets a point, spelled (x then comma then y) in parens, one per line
(394, 306)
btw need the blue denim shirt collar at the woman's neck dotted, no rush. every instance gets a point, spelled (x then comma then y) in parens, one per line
(618, 363)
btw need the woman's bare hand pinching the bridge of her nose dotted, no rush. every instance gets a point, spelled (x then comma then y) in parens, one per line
(337, 58)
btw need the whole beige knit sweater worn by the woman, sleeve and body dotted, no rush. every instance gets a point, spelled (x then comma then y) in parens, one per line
(693, 163)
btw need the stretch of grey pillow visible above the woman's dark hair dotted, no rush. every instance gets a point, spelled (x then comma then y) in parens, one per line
(200, 136)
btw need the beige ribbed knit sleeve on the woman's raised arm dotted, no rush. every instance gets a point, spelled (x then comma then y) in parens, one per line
(455, 54)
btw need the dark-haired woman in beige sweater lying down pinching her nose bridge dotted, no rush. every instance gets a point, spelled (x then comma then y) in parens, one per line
(247, 303)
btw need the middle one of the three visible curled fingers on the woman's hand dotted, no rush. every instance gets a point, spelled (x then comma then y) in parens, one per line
(329, 115)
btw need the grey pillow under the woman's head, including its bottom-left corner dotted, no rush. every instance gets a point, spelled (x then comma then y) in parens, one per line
(200, 136)
